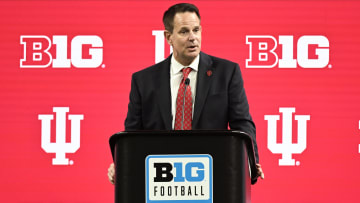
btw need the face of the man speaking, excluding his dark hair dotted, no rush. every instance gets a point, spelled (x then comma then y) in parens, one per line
(185, 38)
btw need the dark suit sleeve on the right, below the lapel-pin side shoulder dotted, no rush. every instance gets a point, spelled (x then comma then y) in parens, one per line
(239, 115)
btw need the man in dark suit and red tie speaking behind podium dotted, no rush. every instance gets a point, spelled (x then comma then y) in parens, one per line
(190, 89)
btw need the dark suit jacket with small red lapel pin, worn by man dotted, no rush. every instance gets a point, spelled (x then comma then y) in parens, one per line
(220, 100)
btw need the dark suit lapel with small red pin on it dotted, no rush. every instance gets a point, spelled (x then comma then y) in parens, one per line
(203, 85)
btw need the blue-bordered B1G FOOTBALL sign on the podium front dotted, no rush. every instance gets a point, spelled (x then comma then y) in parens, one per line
(171, 178)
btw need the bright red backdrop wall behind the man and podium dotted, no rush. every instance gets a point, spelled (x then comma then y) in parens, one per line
(326, 171)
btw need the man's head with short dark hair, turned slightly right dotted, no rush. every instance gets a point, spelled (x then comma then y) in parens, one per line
(183, 31)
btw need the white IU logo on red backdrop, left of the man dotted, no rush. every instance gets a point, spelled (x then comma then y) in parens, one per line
(60, 147)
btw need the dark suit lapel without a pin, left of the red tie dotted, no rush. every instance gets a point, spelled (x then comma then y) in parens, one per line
(164, 94)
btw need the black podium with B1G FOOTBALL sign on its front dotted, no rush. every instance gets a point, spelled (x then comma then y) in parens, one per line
(183, 166)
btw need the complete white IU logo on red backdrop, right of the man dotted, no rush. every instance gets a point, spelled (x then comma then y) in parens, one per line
(287, 148)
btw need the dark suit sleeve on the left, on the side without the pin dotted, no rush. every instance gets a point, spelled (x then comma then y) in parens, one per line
(133, 119)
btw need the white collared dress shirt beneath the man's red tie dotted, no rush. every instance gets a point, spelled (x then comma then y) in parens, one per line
(176, 76)
